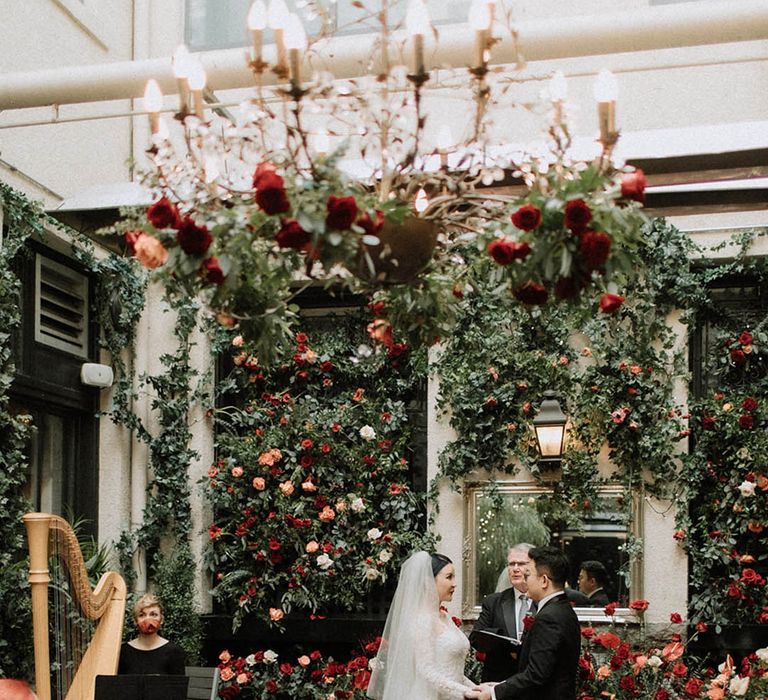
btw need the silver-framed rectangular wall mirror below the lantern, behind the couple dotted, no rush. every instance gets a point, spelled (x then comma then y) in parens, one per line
(499, 514)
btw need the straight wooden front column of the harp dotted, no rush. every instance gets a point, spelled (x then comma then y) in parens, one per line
(38, 525)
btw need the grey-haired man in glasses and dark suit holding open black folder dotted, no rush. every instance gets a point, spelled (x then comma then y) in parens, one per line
(503, 615)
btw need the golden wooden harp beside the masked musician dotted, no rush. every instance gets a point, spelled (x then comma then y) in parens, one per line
(77, 631)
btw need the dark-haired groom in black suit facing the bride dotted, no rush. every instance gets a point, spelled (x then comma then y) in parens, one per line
(549, 655)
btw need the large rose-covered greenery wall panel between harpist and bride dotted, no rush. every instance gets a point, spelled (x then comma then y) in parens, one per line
(312, 502)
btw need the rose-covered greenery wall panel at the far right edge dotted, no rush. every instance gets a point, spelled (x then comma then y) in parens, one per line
(728, 522)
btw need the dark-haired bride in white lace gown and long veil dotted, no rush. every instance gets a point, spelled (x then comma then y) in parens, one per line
(422, 652)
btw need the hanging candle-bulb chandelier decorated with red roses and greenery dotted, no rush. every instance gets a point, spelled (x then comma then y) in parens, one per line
(351, 184)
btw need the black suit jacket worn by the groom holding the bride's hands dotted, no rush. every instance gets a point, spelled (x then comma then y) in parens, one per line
(549, 656)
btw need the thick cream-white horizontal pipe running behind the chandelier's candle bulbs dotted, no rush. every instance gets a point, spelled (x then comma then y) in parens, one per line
(690, 24)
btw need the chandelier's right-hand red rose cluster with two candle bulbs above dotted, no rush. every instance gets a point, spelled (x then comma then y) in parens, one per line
(579, 225)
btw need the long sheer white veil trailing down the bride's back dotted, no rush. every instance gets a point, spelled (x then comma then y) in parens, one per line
(394, 675)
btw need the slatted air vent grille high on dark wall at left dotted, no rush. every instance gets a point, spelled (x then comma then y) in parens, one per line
(61, 307)
